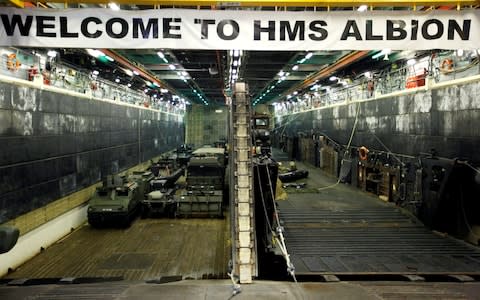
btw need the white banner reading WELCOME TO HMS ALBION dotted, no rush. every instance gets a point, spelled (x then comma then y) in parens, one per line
(244, 30)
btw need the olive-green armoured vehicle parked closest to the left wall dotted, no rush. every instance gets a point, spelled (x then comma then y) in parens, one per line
(118, 200)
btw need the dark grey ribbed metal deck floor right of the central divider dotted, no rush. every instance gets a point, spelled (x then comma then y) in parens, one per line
(343, 231)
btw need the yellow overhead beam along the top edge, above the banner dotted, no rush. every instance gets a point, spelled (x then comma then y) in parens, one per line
(275, 3)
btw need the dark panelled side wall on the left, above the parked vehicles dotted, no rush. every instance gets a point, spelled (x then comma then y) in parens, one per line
(54, 144)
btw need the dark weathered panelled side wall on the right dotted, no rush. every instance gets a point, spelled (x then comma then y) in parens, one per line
(446, 119)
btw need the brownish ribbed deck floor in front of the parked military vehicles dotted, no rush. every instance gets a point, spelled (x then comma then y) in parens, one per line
(148, 250)
